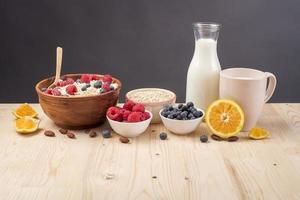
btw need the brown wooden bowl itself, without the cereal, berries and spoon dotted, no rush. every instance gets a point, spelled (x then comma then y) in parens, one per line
(76, 112)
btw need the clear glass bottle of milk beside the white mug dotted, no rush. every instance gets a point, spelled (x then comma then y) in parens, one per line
(202, 86)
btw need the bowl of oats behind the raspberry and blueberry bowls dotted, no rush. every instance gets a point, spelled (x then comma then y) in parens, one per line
(154, 100)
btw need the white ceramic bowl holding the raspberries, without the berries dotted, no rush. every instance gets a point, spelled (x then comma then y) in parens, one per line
(130, 129)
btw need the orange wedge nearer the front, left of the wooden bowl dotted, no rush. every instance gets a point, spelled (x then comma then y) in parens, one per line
(27, 125)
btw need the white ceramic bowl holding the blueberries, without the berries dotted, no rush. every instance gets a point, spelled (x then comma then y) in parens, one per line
(181, 127)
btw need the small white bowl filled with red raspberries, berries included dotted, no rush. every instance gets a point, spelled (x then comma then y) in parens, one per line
(130, 120)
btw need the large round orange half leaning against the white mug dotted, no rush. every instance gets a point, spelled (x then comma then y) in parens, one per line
(225, 118)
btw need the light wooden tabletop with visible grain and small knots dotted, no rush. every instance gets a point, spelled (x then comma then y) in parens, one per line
(40, 167)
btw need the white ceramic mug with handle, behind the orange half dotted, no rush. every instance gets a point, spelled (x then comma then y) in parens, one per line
(250, 88)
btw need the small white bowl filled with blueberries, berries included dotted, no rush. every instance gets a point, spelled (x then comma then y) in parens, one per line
(181, 119)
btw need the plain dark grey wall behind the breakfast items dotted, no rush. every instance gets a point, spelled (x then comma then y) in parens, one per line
(144, 43)
